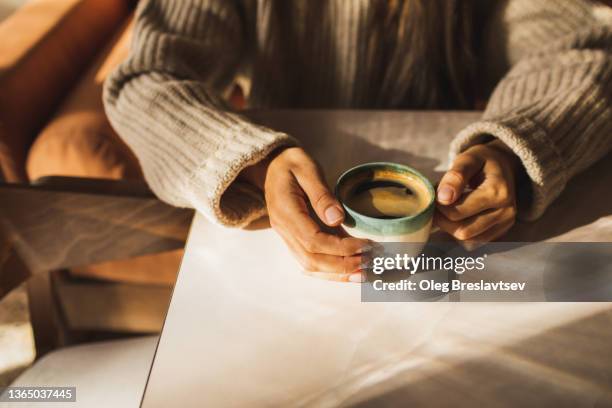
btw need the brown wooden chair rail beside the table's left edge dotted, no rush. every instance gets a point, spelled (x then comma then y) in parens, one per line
(62, 222)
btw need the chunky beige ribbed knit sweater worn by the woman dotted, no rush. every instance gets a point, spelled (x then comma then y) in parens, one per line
(551, 60)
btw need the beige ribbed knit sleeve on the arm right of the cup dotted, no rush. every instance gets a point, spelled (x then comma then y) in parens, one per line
(553, 107)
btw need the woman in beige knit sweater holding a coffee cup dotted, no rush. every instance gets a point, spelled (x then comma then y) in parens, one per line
(547, 63)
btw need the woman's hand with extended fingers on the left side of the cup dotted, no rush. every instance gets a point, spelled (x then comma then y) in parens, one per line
(291, 180)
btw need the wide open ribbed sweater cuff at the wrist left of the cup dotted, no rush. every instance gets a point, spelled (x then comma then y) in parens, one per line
(213, 188)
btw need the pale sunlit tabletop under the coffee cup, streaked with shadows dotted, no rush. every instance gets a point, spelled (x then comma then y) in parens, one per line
(246, 328)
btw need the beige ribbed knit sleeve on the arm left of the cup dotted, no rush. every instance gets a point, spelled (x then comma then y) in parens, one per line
(164, 102)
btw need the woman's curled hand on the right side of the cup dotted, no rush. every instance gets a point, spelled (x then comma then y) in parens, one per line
(489, 209)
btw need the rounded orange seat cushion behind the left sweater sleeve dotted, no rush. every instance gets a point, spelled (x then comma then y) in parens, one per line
(79, 140)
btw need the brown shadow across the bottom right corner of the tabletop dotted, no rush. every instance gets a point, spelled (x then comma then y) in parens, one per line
(566, 366)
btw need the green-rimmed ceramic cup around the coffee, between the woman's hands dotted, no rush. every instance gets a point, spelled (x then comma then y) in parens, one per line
(413, 228)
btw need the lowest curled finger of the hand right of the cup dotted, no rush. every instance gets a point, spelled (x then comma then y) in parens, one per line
(476, 225)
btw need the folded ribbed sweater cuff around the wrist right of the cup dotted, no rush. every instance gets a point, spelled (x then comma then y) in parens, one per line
(532, 145)
